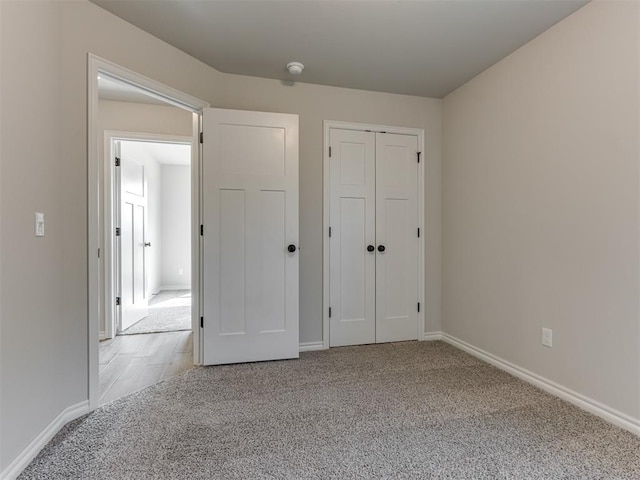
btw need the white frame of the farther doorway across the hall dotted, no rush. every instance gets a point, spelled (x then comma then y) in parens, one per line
(110, 258)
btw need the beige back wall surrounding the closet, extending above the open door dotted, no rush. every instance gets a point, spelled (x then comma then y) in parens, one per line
(314, 103)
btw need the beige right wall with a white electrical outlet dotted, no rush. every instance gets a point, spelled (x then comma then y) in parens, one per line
(540, 206)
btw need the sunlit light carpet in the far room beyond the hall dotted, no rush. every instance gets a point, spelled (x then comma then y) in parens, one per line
(169, 311)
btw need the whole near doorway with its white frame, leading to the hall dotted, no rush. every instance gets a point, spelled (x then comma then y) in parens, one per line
(144, 174)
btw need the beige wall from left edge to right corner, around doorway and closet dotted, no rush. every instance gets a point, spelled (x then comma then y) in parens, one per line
(44, 281)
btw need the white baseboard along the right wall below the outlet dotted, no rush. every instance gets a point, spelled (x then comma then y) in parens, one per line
(611, 415)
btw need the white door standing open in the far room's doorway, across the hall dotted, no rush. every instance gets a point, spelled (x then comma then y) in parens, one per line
(133, 210)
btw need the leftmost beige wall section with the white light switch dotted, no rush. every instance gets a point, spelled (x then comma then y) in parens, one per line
(35, 351)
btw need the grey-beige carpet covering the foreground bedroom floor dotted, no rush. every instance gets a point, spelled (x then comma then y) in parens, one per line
(394, 411)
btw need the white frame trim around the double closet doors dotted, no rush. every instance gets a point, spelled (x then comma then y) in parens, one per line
(329, 124)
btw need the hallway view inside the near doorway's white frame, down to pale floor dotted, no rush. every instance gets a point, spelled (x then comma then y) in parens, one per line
(150, 251)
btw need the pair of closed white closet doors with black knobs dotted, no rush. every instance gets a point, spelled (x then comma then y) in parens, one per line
(373, 238)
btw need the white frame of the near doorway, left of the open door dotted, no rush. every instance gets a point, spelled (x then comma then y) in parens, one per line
(97, 279)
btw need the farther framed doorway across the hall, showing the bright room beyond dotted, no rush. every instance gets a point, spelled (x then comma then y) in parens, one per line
(152, 205)
